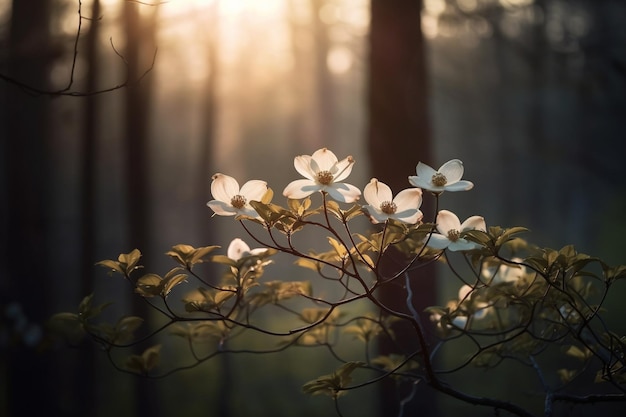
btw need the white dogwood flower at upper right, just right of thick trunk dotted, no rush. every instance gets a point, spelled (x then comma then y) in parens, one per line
(446, 178)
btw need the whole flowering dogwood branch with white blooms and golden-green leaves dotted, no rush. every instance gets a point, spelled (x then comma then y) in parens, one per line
(516, 302)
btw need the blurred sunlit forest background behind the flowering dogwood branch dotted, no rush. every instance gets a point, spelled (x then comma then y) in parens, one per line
(115, 114)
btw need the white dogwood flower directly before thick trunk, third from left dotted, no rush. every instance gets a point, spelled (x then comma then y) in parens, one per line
(382, 206)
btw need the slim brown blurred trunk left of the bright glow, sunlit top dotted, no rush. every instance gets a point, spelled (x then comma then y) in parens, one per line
(139, 25)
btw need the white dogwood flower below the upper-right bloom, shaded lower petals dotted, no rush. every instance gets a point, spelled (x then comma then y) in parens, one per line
(450, 229)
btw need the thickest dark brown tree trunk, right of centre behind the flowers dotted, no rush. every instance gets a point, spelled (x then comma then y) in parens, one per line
(399, 137)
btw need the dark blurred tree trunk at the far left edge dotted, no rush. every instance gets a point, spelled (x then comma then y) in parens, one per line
(30, 381)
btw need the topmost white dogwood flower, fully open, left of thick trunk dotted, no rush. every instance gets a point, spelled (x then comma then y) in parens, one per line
(323, 172)
